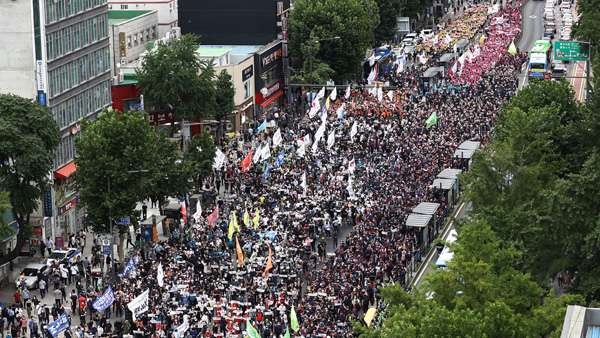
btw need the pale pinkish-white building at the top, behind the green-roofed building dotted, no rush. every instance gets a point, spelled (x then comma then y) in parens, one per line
(167, 11)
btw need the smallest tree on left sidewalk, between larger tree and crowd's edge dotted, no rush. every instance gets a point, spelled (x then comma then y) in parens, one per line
(199, 156)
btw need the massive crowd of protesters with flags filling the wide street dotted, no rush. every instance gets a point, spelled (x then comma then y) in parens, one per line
(259, 253)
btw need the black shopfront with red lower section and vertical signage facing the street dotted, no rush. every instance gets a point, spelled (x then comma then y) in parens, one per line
(268, 63)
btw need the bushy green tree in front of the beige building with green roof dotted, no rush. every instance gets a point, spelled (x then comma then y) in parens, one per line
(174, 79)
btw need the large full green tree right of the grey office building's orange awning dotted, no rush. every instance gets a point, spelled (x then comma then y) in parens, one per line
(111, 152)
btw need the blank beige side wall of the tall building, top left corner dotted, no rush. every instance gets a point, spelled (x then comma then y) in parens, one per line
(17, 52)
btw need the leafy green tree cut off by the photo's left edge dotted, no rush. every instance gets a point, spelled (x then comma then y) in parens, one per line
(28, 138)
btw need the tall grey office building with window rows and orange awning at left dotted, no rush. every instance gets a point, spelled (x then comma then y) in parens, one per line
(57, 51)
